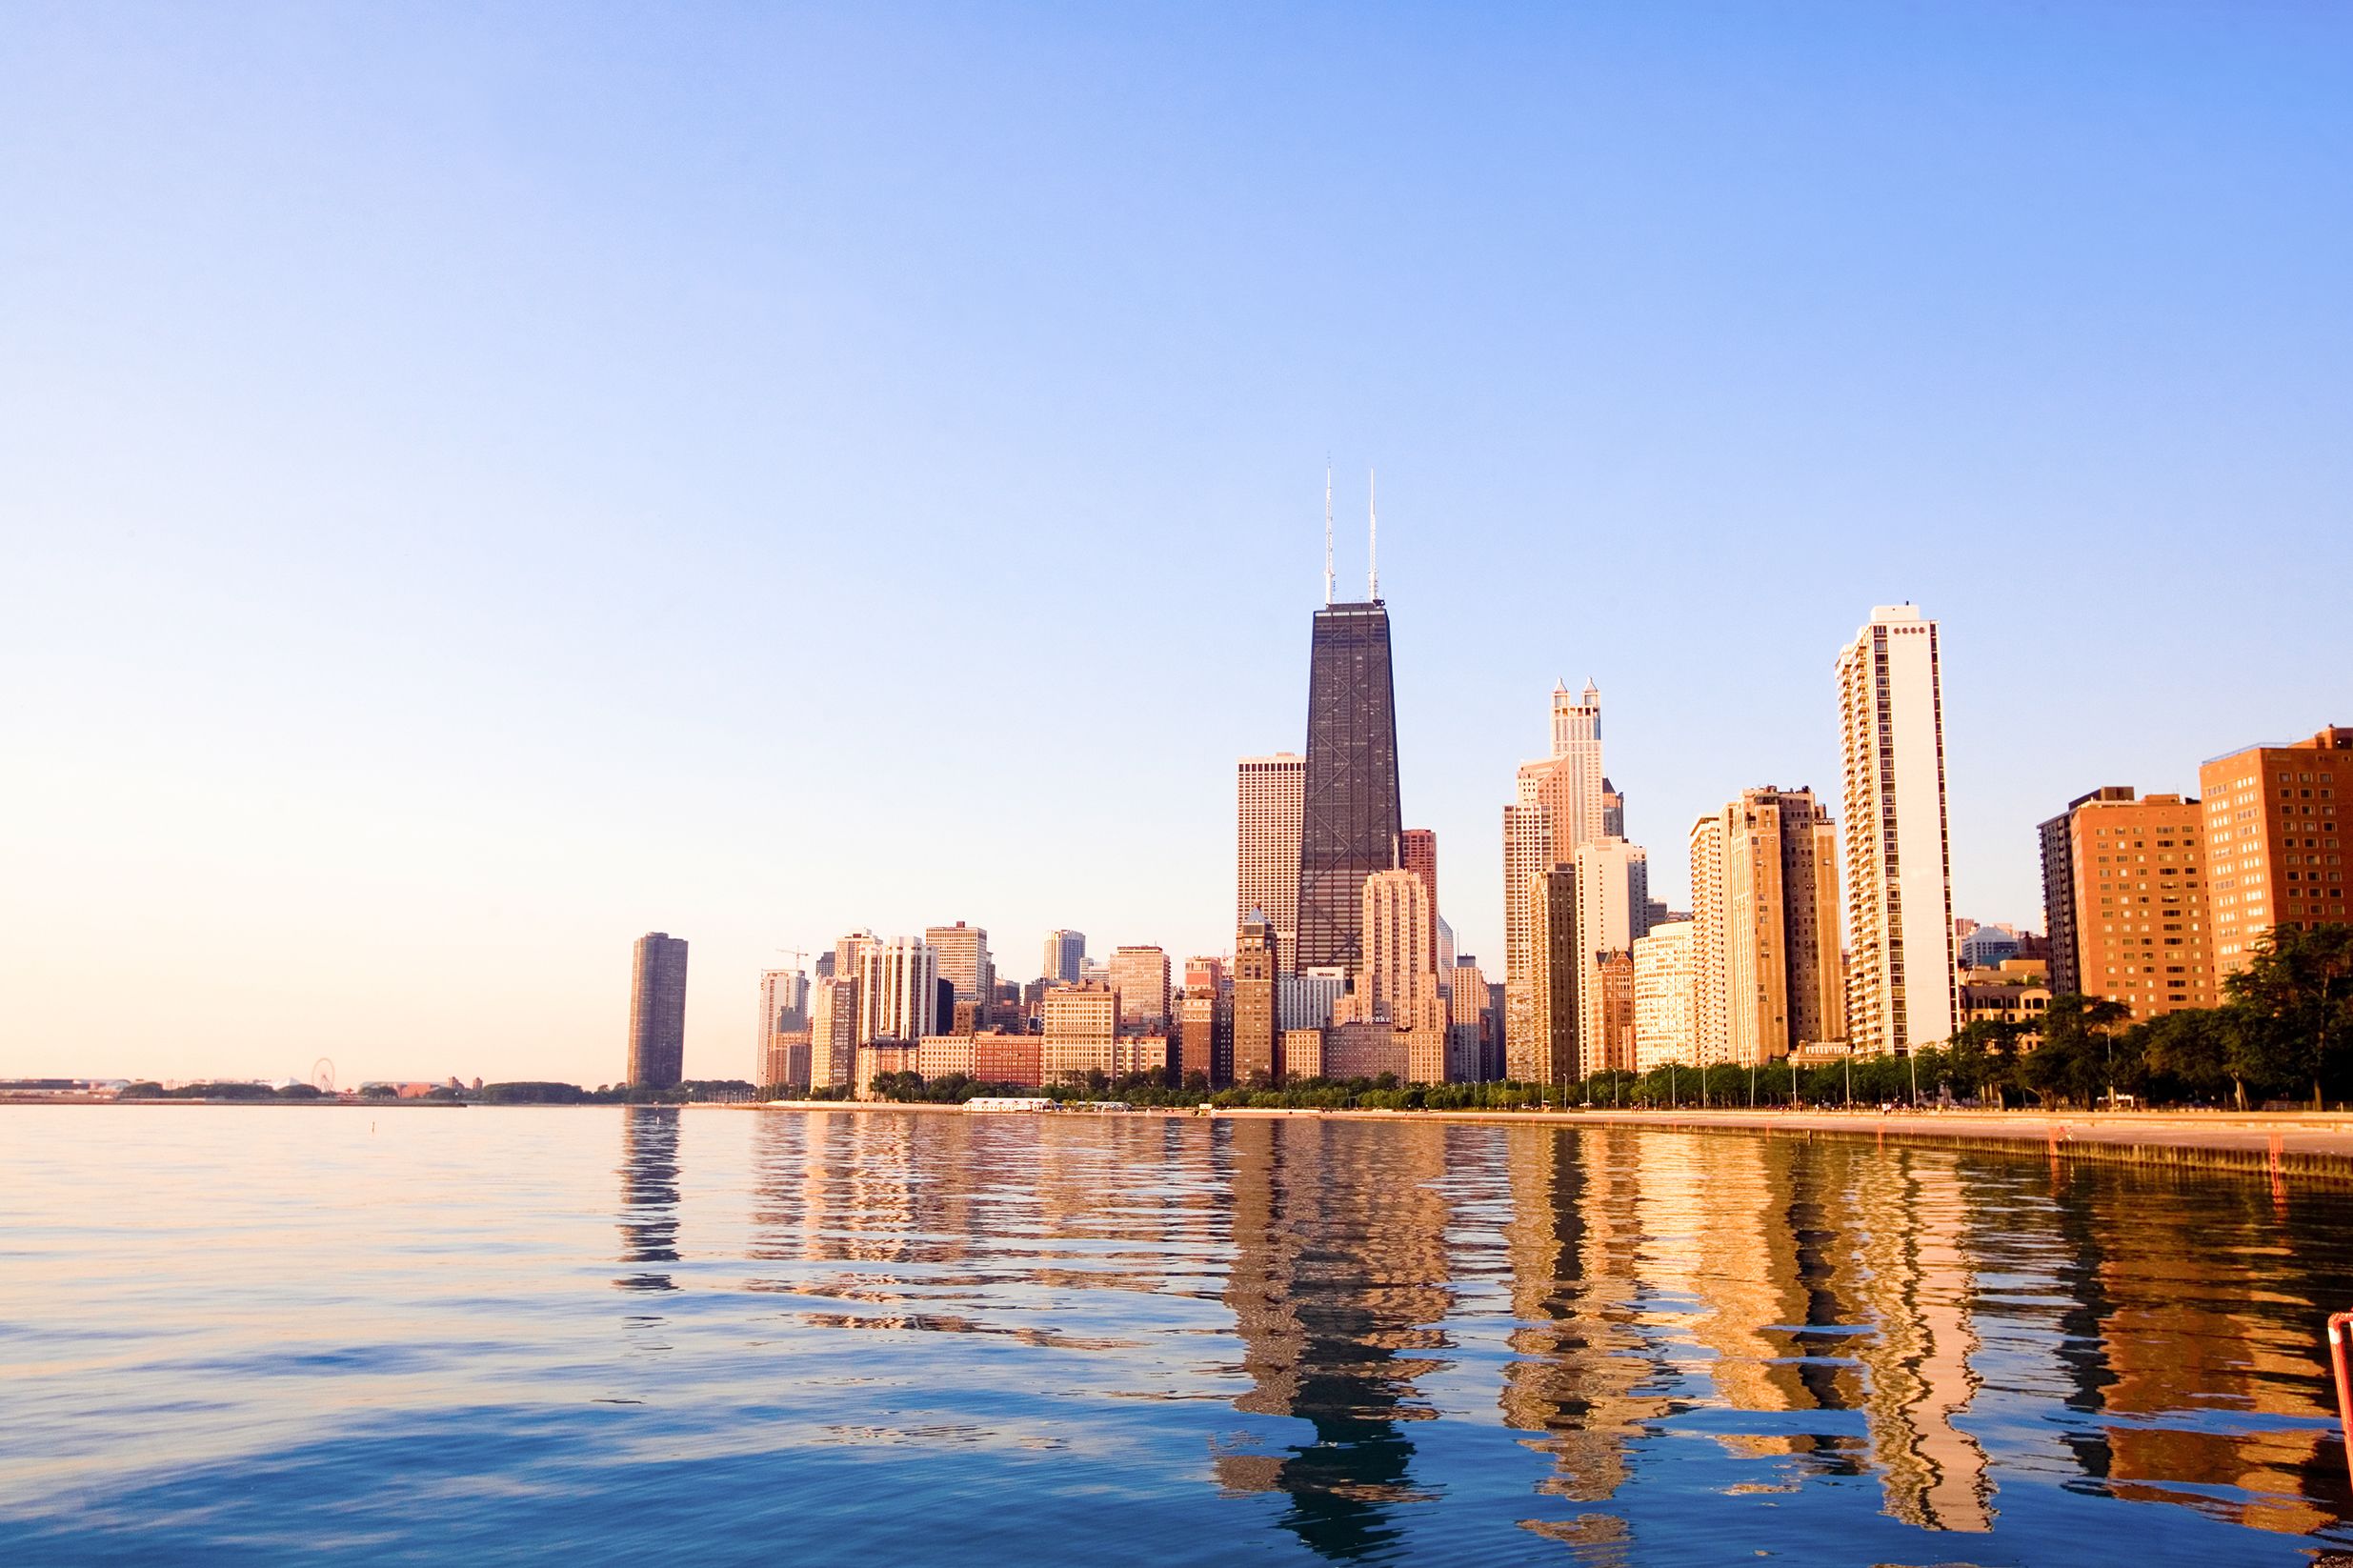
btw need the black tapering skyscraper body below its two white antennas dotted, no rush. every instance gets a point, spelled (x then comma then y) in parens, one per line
(1349, 811)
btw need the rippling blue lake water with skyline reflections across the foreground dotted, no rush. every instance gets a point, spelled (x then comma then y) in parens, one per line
(608, 1336)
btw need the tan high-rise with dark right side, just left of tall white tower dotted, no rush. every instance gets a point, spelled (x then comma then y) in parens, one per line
(1768, 910)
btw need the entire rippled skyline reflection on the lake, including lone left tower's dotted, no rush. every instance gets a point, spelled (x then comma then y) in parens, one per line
(1839, 1310)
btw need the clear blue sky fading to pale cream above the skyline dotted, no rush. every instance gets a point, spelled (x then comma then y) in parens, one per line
(488, 481)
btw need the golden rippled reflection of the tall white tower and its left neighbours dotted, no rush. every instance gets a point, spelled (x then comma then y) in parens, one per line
(1818, 1280)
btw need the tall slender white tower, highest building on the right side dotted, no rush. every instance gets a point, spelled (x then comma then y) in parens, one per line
(1900, 872)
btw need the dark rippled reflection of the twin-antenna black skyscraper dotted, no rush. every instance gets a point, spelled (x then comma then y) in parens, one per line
(1338, 1284)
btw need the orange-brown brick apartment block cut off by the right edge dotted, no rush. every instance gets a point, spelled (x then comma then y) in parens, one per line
(2274, 842)
